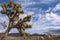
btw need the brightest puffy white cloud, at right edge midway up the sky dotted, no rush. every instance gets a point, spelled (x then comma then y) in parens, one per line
(54, 18)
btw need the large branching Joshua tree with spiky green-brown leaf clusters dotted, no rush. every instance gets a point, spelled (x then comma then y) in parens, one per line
(13, 10)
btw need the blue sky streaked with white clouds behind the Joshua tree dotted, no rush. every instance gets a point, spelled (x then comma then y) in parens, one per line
(45, 15)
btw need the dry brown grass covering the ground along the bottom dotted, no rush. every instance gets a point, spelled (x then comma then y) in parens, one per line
(34, 37)
